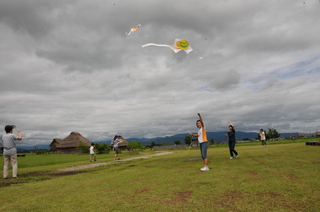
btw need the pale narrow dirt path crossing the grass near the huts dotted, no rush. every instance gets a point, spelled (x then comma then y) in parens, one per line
(92, 165)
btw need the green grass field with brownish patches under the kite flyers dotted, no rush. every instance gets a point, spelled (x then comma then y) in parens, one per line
(280, 177)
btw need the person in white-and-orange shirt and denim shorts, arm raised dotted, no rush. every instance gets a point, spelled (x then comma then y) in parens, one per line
(203, 141)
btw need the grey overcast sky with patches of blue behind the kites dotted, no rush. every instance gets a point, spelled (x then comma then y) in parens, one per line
(69, 66)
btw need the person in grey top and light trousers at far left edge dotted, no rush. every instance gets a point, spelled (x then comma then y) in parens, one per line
(10, 151)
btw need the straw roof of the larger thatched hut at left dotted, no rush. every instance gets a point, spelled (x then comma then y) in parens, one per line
(71, 141)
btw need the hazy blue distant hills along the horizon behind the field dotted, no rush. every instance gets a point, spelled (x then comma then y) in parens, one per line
(217, 136)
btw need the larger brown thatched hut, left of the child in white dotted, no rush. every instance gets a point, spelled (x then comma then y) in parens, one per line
(69, 144)
